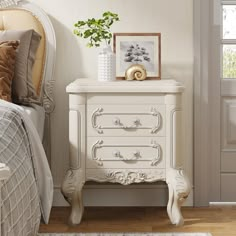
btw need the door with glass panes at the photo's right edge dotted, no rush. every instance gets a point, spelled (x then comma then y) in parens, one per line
(228, 102)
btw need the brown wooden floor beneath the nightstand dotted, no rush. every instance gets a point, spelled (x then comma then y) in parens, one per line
(218, 221)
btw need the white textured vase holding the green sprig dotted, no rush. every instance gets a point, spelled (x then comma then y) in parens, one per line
(106, 65)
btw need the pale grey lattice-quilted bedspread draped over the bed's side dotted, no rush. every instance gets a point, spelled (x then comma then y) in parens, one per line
(29, 189)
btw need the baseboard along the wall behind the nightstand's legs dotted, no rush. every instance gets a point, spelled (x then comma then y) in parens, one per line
(116, 195)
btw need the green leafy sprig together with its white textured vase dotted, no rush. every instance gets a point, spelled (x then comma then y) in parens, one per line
(97, 31)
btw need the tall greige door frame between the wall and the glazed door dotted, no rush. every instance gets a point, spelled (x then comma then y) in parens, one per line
(206, 104)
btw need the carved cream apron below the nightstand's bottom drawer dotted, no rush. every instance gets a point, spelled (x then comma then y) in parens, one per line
(126, 176)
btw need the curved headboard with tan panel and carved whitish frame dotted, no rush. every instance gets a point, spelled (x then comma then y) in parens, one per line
(27, 15)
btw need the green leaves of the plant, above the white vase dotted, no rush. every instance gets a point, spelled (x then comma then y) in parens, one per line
(96, 30)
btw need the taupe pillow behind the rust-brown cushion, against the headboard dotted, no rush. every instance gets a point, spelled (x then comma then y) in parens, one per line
(23, 91)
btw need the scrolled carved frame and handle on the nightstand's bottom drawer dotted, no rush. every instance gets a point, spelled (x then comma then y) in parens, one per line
(127, 153)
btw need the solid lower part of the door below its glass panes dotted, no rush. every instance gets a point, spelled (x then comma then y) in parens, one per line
(228, 145)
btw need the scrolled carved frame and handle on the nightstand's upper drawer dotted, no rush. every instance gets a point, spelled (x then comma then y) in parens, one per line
(119, 120)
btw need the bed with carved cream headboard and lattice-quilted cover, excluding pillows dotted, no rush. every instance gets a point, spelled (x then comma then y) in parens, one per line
(26, 187)
